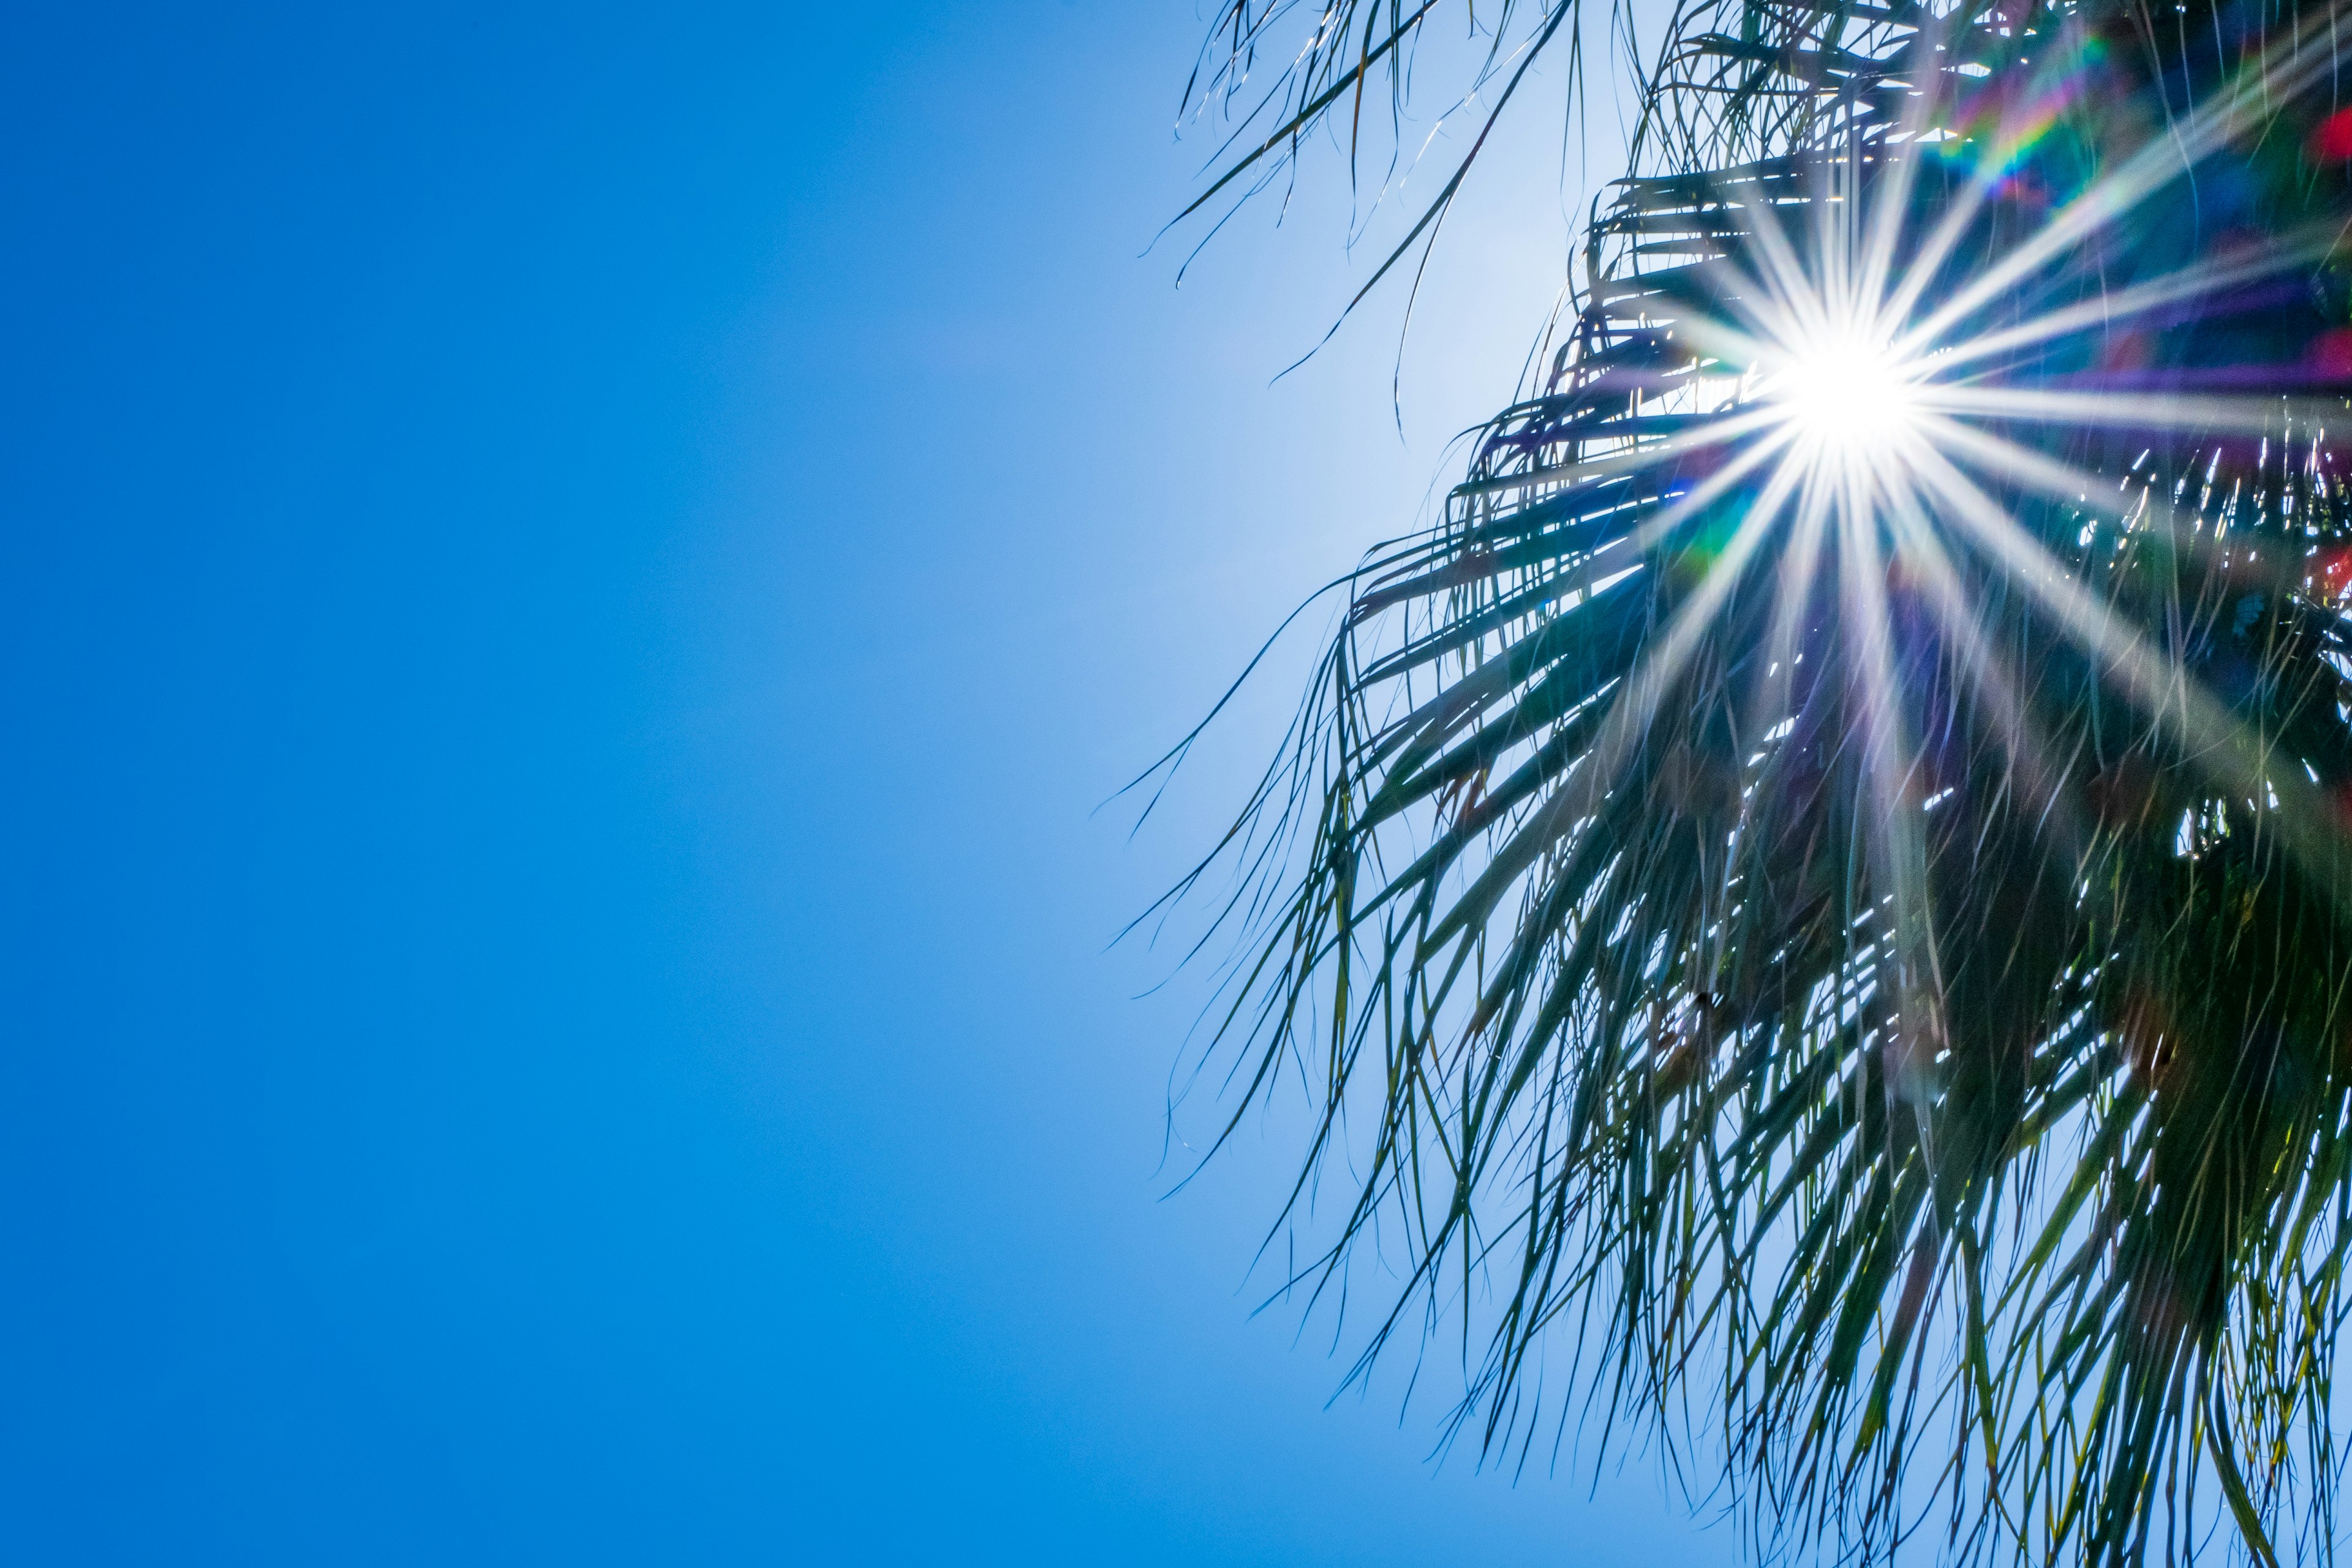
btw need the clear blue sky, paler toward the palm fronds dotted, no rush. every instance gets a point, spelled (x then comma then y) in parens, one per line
(573, 584)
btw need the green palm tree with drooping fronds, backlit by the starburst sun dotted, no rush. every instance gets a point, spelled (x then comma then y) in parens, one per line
(1815, 899)
